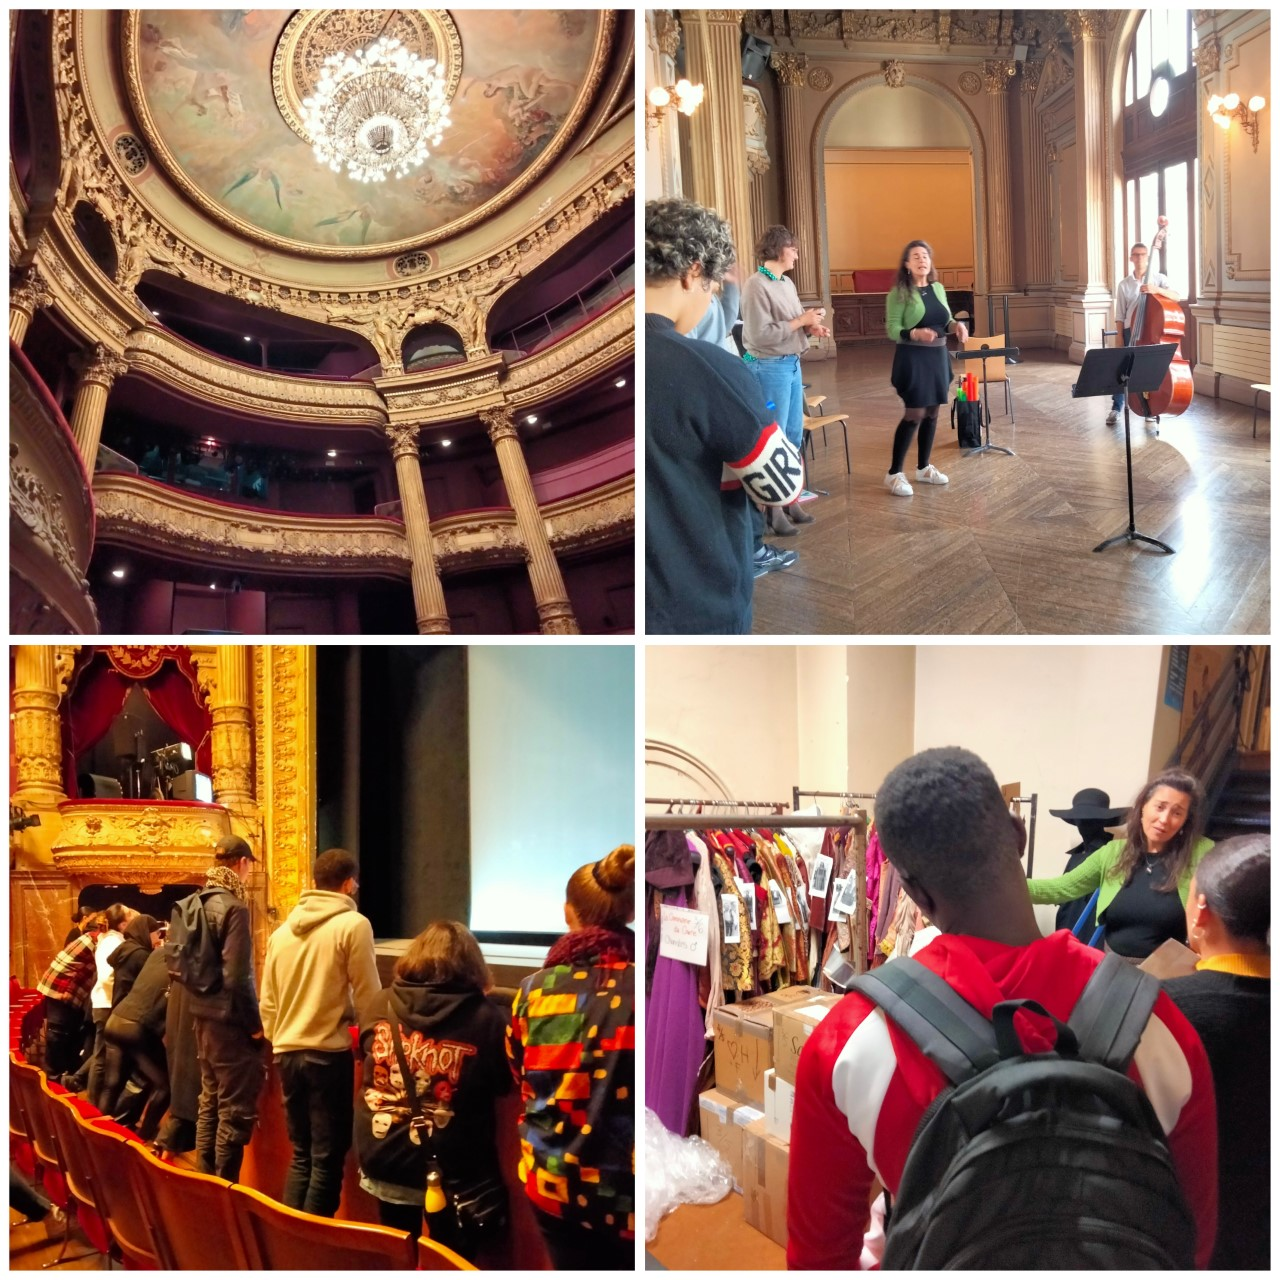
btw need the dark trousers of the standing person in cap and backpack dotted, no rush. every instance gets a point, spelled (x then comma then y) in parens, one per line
(231, 1080)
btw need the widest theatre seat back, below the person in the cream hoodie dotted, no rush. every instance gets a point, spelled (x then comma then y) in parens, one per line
(286, 1240)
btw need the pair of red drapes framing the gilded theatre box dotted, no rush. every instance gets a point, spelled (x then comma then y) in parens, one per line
(99, 696)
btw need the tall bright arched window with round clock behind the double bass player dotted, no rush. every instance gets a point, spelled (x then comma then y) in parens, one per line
(1159, 159)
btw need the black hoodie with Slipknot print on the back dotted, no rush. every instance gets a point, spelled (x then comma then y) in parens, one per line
(455, 1044)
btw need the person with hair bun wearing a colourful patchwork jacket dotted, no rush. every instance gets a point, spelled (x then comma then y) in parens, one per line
(573, 1049)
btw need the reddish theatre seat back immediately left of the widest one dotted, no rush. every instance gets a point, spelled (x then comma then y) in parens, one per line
(191, 1214)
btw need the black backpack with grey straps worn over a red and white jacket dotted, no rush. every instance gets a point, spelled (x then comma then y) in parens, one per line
(1031, 1162)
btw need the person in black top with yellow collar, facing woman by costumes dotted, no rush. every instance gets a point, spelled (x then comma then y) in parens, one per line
(1228, 1000)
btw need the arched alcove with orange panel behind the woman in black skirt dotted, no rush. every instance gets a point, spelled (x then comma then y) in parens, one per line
(885, 158)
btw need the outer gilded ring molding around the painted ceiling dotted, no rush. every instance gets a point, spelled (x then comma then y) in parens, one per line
(601, 57)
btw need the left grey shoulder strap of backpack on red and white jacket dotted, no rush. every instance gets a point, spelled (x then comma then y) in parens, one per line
(949, 1031)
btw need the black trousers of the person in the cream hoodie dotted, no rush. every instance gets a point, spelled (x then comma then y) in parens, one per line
(319, 1113)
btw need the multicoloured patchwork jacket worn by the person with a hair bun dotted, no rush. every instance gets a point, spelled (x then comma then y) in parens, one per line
(573, 1049)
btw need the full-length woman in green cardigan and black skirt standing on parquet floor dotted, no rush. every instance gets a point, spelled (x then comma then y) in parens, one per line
(918, 319)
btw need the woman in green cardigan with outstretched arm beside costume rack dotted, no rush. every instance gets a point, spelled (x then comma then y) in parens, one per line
(1144, 879)
